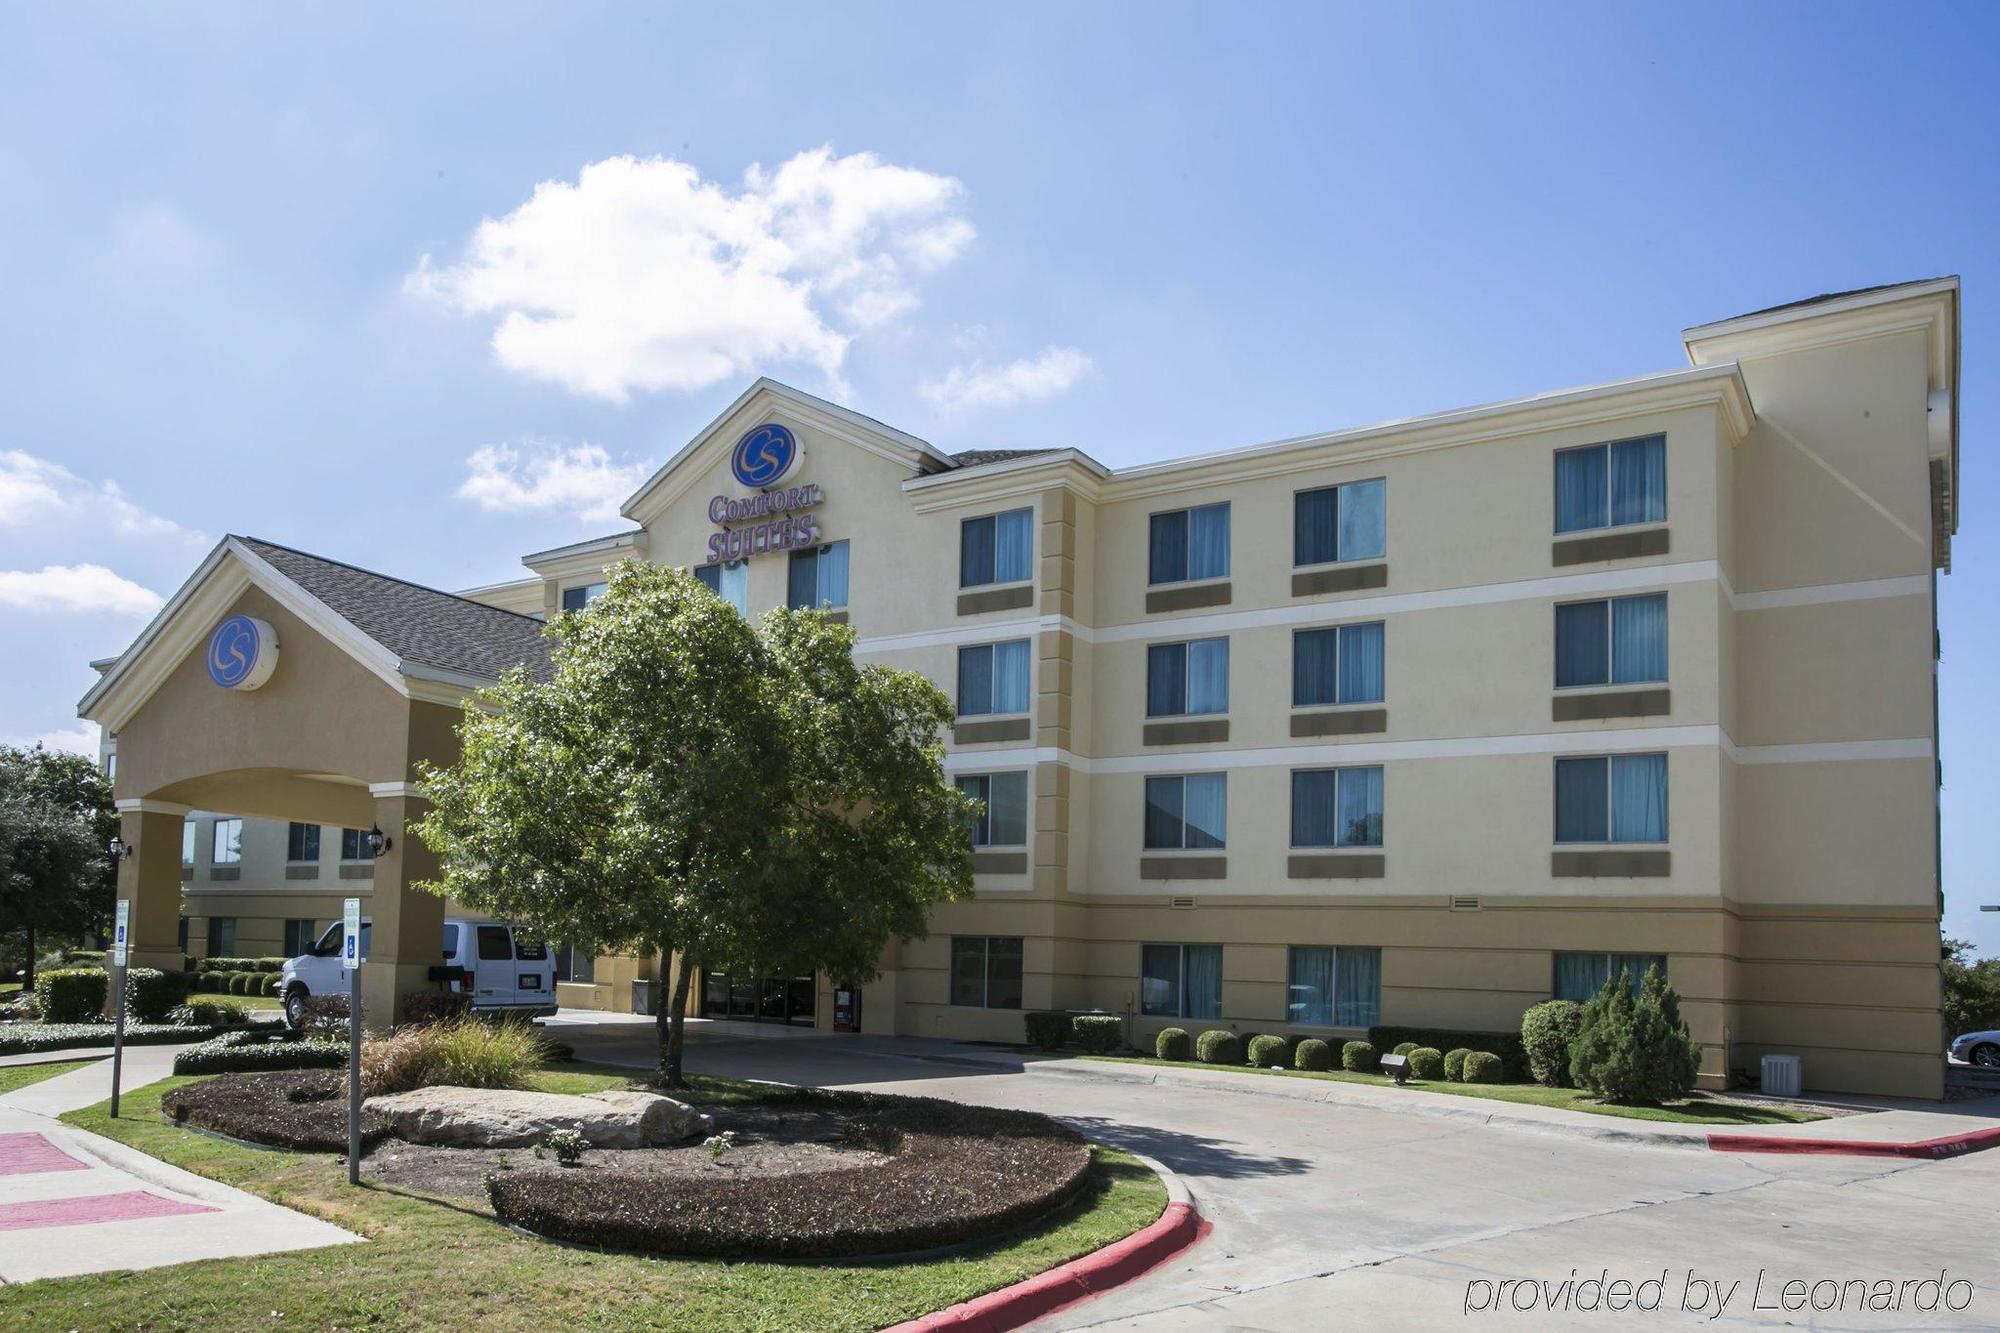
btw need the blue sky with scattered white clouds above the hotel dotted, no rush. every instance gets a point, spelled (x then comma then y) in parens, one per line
(245, 291)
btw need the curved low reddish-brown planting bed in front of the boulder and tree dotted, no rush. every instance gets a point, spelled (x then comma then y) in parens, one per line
(953, 1174)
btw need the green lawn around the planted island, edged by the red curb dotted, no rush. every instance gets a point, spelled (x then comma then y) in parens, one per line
(449, 1266)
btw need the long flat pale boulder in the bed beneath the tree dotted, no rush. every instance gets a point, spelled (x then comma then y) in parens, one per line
(503, 1118)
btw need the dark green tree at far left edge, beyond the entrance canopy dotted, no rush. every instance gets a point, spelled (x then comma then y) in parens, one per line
(57, 824)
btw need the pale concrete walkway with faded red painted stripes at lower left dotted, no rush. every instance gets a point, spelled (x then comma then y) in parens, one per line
(73, 1202)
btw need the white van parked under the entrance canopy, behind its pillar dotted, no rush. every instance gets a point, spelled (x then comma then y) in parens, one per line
(505, 970)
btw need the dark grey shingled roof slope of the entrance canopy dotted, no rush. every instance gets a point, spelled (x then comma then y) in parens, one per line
(417, 623)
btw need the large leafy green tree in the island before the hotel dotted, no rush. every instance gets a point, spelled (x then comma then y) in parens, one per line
(743, 796)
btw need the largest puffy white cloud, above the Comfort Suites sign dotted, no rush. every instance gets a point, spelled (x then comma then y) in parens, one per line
(645, 277)
